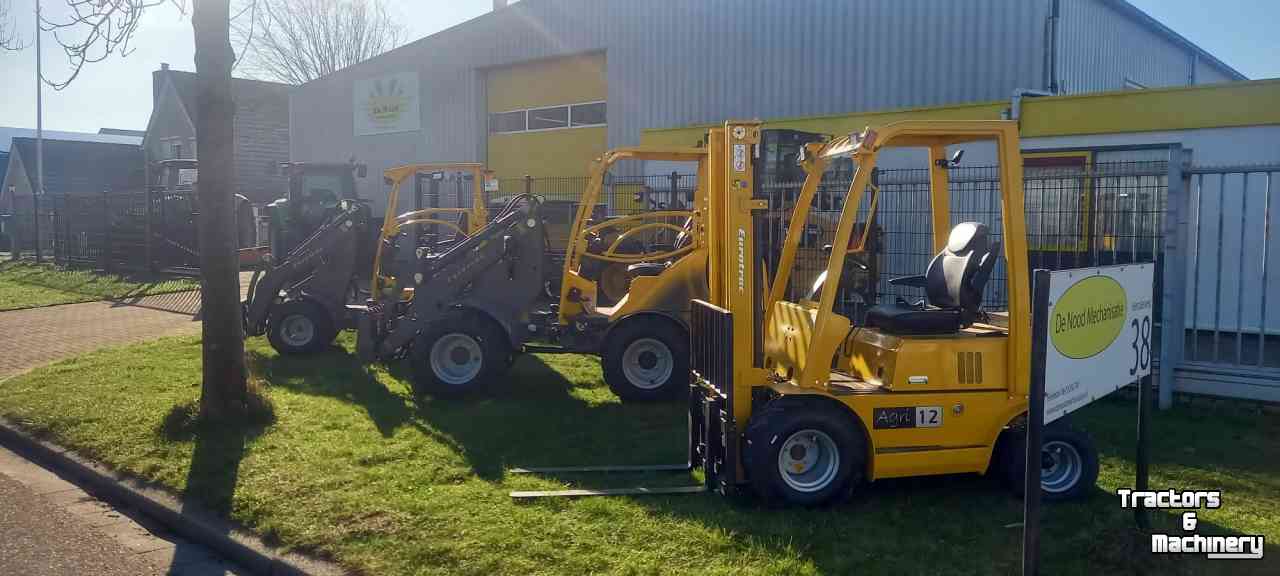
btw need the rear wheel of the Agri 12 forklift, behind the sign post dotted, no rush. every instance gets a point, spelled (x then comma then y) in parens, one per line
(1066, 449)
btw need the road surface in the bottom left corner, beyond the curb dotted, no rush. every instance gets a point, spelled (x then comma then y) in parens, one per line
(49, 527)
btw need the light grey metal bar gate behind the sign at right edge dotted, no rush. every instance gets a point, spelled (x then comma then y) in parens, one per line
(1231, 342)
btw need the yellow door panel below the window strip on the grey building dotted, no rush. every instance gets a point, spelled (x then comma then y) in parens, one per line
(565, 153)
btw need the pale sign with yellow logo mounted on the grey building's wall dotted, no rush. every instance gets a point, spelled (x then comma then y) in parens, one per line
(387, 104)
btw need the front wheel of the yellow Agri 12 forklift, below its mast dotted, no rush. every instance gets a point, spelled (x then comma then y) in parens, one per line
(785, 433)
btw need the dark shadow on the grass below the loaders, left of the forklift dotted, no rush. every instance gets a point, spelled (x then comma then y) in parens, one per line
(532, 418)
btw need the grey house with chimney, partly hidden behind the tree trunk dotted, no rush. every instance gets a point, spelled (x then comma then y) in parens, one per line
(262, 130)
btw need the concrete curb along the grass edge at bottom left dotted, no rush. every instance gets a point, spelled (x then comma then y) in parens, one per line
(190, 522)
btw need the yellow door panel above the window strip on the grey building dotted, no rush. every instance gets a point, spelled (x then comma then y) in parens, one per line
(548, 84)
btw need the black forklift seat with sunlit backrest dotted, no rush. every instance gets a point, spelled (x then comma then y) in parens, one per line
(953, 284)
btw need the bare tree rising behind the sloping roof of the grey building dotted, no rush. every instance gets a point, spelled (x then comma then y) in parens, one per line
(298, 42)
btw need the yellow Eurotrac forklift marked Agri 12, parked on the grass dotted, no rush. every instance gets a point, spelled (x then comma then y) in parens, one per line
(793, 400)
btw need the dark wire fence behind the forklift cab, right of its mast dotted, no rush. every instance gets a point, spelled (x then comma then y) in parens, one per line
(1101, 214)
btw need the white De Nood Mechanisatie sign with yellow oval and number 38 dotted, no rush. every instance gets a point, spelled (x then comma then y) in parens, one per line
(1100, 335)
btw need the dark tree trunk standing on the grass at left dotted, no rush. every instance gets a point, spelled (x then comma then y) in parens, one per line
(223, 394)
